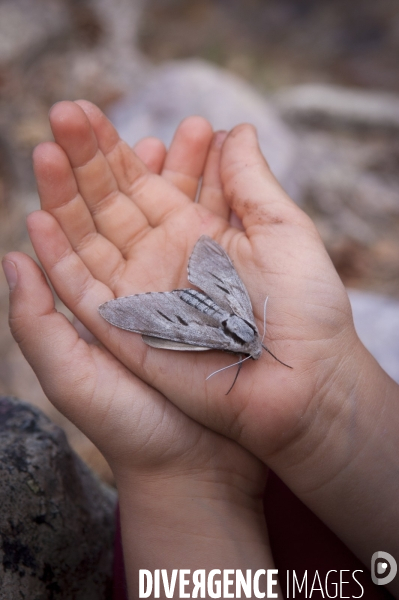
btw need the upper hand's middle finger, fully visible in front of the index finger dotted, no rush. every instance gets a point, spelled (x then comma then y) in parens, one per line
(116, 217)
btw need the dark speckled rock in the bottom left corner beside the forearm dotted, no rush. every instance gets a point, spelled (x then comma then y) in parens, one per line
(56, 520)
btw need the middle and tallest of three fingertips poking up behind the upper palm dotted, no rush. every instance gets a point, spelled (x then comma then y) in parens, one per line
(185, 160)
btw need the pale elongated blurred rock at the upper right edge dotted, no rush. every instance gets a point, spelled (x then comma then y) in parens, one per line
(335, 106)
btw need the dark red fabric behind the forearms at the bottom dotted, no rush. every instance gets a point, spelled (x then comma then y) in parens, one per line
(299, 542)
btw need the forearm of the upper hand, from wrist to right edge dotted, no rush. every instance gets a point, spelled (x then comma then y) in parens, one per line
(344, 467)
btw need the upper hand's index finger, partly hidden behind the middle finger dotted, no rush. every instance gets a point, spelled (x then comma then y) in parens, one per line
(154, 196)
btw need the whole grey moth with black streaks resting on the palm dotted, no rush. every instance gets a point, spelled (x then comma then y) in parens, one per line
(218, 316)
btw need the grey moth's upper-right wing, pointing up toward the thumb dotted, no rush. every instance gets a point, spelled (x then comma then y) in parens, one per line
(211, 269)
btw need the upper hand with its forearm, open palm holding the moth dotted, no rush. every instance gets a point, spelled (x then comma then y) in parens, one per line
(328, 427)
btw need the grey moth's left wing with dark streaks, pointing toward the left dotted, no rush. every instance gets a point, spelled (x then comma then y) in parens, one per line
(165, 316)
